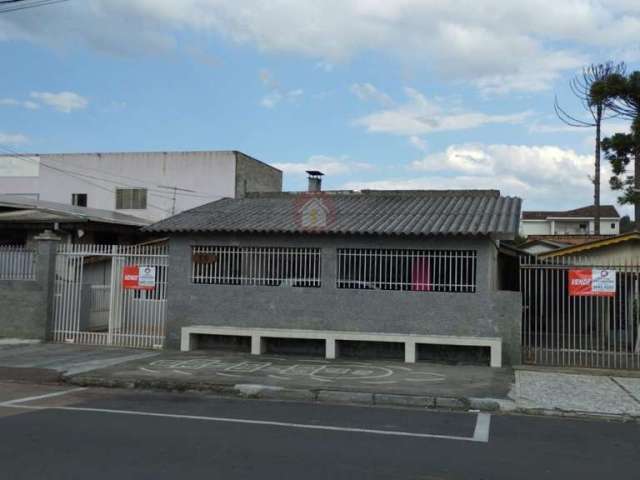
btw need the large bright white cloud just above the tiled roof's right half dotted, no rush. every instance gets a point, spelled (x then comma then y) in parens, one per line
(545, 176)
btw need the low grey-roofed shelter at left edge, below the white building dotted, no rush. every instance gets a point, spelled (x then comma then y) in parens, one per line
(22, 219)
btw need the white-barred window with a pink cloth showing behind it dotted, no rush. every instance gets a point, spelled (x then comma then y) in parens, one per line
(407, 270)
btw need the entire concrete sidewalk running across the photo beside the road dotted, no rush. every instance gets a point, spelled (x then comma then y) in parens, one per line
(422, 385)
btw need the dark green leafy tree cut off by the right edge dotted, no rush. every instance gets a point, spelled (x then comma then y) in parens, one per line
(623, 149)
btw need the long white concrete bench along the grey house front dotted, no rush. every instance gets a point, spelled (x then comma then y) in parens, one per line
(258, 336)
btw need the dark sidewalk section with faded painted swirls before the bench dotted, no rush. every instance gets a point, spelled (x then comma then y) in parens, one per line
(303, 378)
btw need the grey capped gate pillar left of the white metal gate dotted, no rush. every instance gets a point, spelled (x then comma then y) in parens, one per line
(46, 246)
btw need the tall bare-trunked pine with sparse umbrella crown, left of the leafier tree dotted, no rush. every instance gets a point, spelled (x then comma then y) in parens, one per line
(591, 88)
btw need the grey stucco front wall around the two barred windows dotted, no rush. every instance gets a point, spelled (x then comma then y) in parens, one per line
(487, 312)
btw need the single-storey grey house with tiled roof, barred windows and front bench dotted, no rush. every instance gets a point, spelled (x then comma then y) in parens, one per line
(350, 269)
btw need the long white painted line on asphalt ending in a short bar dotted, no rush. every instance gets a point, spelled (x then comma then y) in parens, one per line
(483, 436)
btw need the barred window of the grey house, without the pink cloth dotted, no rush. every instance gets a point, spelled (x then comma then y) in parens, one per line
(267, 266)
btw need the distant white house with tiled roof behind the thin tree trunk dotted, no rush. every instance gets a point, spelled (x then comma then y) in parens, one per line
(569, 223)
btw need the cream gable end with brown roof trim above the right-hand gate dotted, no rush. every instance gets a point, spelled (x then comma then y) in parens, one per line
(616, 250)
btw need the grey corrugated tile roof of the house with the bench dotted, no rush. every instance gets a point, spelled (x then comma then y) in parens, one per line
(422, 212)
